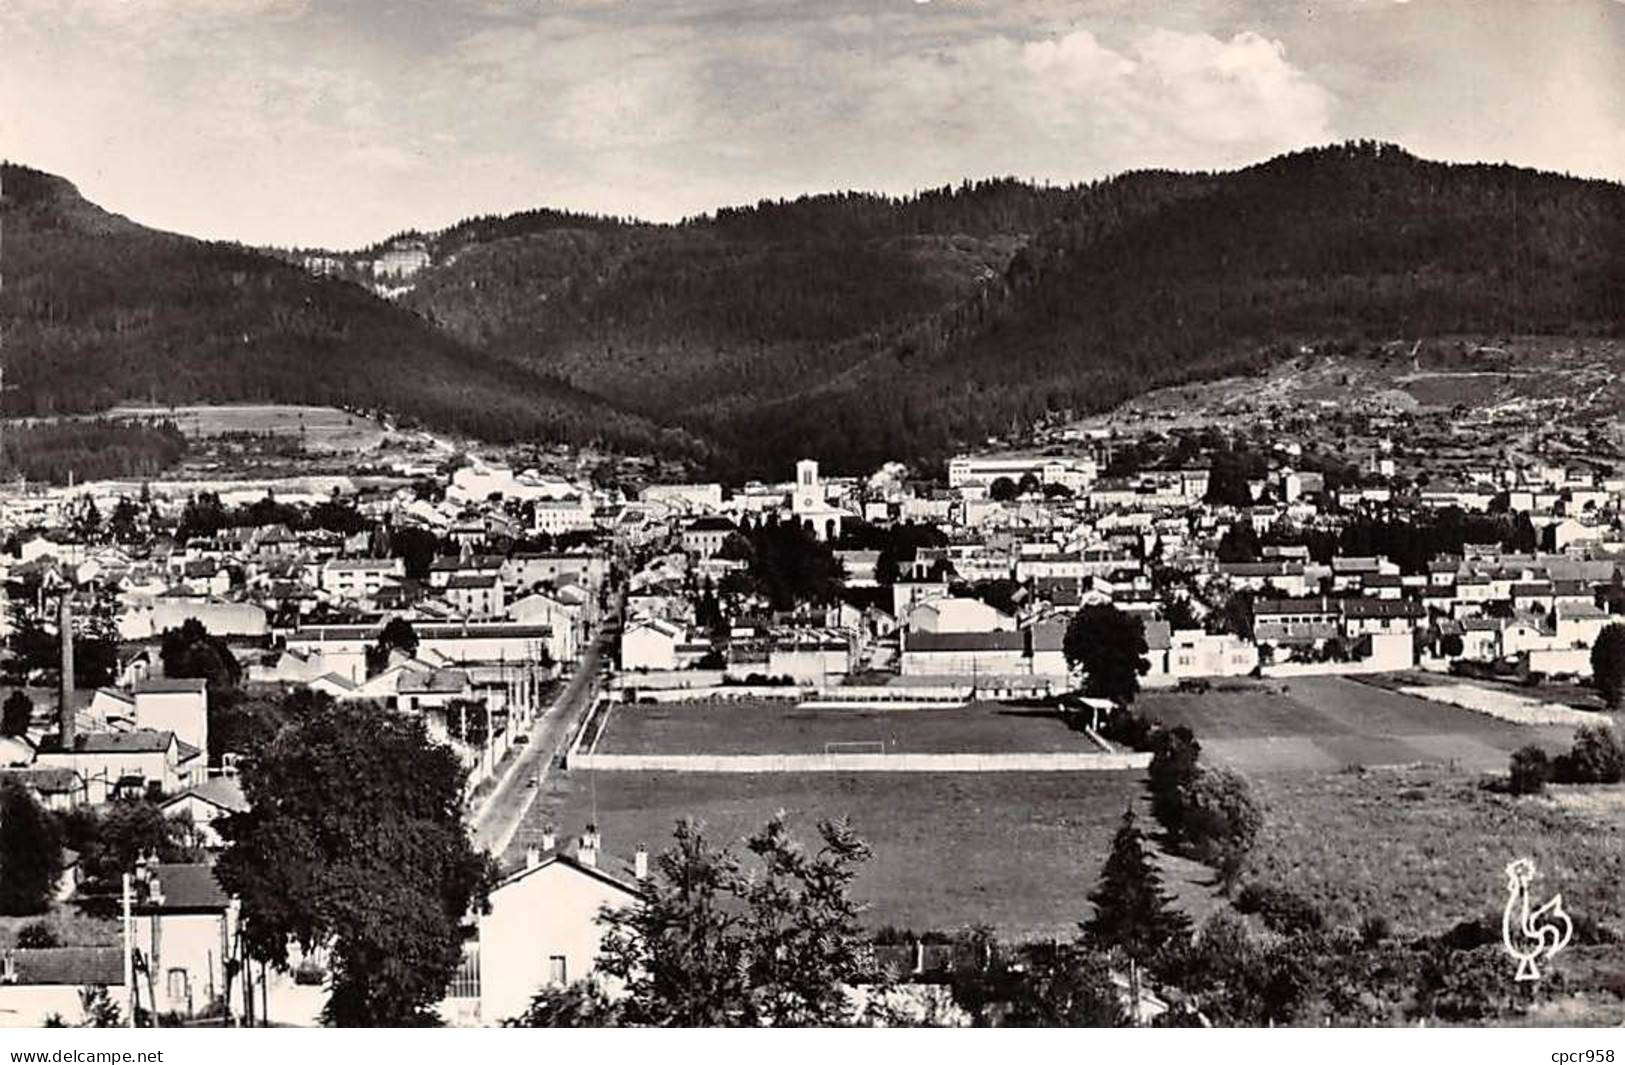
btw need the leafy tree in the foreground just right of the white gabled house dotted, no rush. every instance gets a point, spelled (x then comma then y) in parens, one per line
(713, 944)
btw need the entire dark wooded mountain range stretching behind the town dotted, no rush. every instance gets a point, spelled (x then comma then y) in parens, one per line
(851, 328)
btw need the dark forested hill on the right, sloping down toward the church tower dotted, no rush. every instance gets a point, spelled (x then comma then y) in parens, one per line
(1158, 279)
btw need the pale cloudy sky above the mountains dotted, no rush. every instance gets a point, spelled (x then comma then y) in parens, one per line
(339, 123)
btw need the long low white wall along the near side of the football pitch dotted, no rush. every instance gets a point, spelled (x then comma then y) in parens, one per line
(1065, 762)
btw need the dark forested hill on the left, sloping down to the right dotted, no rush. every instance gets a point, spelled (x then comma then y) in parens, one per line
(100, 310)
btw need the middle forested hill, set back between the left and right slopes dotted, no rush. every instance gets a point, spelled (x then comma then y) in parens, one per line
(740, 306)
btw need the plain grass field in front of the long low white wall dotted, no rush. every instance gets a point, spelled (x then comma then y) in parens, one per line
(1013, 851)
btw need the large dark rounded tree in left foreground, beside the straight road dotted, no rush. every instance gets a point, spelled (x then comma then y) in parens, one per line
(355, 841)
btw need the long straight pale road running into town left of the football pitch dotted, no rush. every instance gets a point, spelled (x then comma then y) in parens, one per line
(503, 812)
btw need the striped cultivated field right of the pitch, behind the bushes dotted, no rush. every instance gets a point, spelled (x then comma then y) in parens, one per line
(1332, 723)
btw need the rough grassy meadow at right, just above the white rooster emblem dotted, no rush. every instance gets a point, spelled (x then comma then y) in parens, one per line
(1428, 848)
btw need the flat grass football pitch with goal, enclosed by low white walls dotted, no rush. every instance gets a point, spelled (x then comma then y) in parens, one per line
(771, 728)
